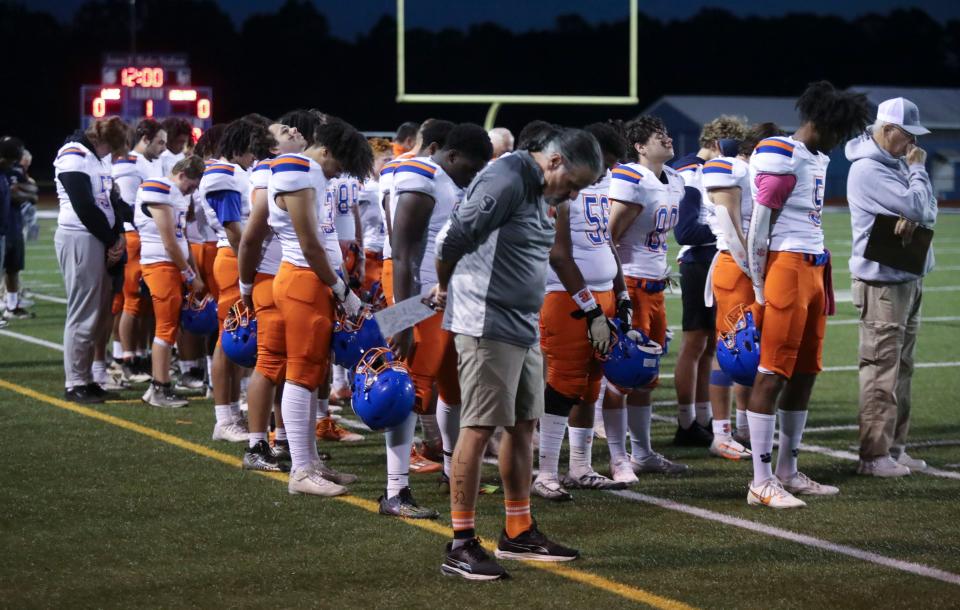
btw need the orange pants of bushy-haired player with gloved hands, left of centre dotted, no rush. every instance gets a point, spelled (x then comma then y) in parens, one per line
(307, 306)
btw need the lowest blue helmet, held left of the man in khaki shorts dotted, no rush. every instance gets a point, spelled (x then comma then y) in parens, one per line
(383, 394)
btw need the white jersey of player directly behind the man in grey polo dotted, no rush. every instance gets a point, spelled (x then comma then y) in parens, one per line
(422, 175)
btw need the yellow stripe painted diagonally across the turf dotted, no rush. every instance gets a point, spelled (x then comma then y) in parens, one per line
(593, 580)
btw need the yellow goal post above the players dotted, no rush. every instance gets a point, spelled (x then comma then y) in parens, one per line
(497, 100)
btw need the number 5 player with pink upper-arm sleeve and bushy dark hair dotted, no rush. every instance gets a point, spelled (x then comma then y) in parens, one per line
(790, 271)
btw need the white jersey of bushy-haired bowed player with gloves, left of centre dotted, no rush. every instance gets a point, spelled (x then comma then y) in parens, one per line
(294, 173)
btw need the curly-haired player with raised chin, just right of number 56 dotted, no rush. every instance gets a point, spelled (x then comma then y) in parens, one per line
(644, 199)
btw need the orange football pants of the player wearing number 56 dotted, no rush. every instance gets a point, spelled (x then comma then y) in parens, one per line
(573, 369)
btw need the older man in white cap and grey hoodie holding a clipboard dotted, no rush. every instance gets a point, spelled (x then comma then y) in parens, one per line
(888, 177)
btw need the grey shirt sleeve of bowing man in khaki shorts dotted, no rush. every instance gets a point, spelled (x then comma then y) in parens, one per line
(488, 205)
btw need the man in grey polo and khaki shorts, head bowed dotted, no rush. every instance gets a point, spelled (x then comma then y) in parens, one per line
(493, 255)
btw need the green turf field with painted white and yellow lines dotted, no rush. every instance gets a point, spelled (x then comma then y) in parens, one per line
(141, 509)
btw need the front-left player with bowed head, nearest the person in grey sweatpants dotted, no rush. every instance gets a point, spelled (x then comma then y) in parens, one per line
(160, 219)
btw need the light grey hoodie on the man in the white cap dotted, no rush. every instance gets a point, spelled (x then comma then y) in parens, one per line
(879, 183)
